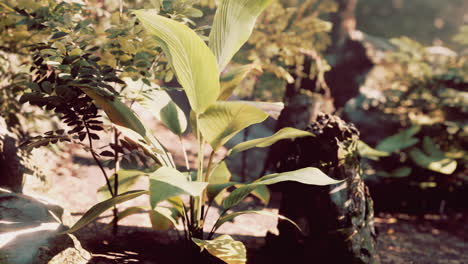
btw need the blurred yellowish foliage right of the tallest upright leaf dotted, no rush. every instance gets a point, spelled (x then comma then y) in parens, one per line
(286, 45)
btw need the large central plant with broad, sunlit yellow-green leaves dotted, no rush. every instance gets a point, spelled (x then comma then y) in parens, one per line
(215, 121)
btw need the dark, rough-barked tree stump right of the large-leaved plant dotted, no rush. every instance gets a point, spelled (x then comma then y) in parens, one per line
(337, 220)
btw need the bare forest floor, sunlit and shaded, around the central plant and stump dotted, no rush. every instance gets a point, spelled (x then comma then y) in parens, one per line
(74, 180)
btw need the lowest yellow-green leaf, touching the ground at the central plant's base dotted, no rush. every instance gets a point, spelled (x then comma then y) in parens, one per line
(225, 248)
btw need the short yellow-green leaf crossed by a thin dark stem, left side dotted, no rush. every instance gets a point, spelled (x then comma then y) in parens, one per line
(127, 178)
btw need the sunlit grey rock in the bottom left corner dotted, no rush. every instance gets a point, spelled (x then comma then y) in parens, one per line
(30, 233)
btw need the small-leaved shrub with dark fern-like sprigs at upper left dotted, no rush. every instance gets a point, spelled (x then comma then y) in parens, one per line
(51, 48)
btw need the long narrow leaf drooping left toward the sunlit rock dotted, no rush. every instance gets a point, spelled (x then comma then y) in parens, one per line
(101, 207)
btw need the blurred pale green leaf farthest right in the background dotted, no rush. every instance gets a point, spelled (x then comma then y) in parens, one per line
(439, 164)
